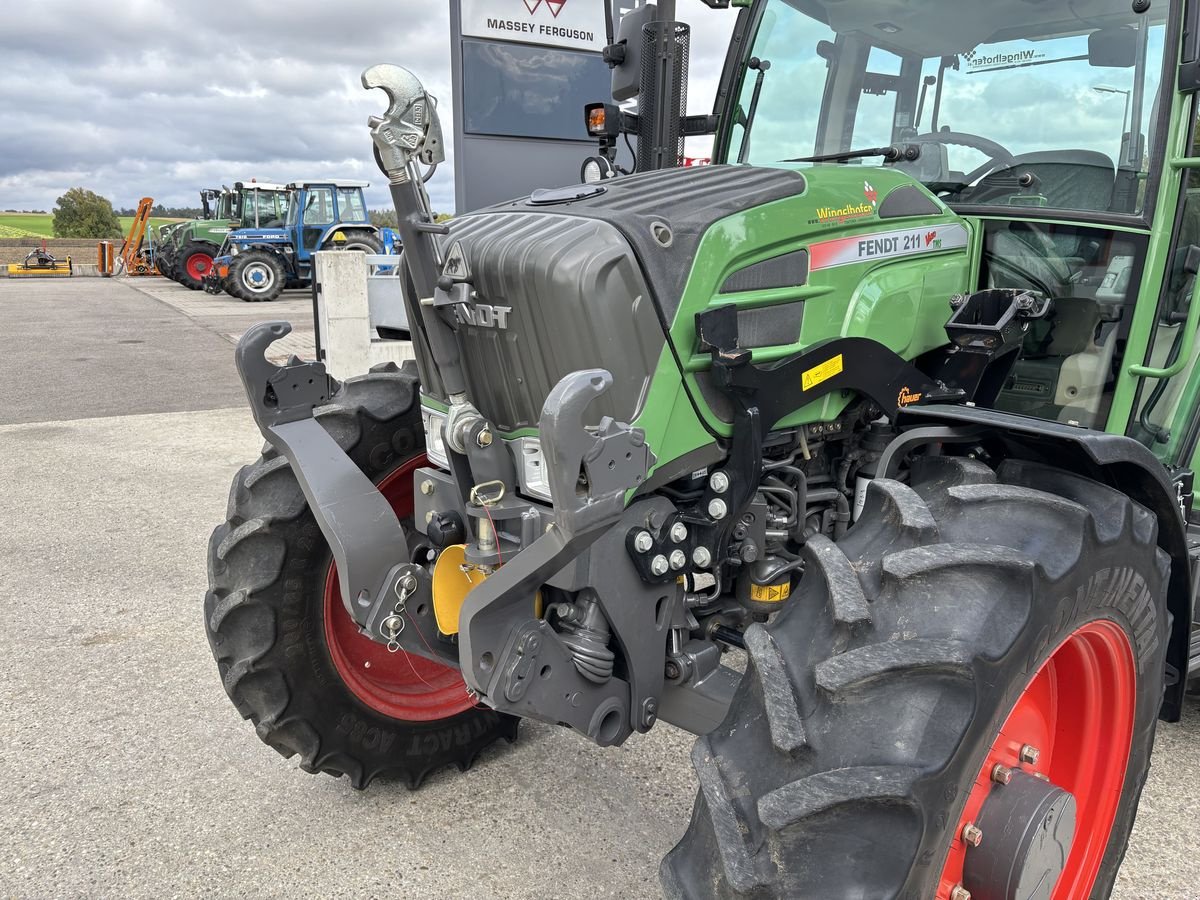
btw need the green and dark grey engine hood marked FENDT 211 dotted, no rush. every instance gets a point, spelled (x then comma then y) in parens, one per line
(605, 275)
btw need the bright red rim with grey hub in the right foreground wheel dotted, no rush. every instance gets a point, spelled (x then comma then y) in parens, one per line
(1078, 711)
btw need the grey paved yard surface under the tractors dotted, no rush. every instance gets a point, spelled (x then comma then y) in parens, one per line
(129, 773)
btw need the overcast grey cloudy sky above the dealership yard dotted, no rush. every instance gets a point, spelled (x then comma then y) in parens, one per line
(149, 98)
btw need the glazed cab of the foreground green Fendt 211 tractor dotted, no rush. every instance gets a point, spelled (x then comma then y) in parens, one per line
(1054, 130)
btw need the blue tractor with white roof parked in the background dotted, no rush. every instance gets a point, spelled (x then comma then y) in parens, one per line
(257, 265)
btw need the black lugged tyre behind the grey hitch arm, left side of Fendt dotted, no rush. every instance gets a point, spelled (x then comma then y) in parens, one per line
(268, 616)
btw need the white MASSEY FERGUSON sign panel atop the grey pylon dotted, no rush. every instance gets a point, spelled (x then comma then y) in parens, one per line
(575, 25)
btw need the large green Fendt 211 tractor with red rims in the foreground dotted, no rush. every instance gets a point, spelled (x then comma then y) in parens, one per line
(901, 397)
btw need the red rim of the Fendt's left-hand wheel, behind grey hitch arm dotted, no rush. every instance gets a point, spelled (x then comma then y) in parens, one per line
(397, 685)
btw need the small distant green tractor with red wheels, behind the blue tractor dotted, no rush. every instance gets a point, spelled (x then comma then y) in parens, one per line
(189, 249)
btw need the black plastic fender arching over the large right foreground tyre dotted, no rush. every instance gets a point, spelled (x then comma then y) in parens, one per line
(1114, 460)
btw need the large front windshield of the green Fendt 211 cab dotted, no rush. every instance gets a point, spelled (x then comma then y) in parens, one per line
(1003, 103)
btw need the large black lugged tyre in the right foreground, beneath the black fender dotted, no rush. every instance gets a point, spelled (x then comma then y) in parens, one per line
(867, 724)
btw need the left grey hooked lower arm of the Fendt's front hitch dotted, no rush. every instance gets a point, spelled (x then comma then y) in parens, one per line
(364, 535)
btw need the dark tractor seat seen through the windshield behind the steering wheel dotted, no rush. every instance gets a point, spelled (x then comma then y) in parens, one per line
(1069, 179)
